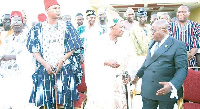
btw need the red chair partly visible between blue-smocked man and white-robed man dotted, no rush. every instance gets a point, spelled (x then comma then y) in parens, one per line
(82, 88)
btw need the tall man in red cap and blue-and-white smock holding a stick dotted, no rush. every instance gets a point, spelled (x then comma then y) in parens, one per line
(55, 44)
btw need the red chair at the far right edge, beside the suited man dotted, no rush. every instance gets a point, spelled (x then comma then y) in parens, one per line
(191, 88)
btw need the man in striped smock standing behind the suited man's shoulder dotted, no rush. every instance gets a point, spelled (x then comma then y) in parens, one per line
(186, 31)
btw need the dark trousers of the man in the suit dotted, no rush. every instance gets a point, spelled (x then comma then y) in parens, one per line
(153, 104)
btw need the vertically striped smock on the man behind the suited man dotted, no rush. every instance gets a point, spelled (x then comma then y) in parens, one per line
(189, 34)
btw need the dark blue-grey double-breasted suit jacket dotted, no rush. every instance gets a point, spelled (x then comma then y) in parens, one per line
(168, 64)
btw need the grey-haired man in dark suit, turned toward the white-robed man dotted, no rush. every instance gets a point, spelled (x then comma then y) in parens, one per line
(164, 69)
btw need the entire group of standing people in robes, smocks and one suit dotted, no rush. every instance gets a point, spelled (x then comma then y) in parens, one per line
(41, 66)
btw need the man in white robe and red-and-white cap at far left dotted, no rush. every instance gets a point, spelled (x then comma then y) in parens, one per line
(15, 67)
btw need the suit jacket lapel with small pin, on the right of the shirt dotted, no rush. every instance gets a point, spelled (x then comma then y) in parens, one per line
(163, 48)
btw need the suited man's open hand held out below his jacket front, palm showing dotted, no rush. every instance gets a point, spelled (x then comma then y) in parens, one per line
(166, 88)
